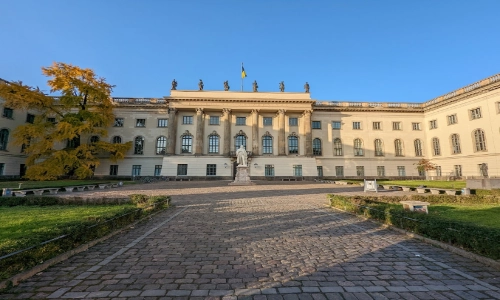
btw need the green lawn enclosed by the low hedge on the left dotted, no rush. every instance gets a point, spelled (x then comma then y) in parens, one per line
(24, 226)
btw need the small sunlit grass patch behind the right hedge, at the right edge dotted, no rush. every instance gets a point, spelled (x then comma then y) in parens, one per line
(479, 214)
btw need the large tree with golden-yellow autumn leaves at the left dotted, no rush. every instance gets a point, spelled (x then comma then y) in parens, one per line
(55, 141)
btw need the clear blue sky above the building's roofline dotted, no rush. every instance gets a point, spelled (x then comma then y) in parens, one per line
(394, 51)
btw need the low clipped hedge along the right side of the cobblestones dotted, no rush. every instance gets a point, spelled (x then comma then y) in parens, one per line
(470, 237)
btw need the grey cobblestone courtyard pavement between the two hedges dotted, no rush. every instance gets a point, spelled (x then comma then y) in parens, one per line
(268, 241)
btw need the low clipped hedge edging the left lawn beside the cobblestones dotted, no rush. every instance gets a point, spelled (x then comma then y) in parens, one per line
(81, 233)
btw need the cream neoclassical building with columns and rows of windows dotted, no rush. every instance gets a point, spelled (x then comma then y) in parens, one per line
(194, 135)
